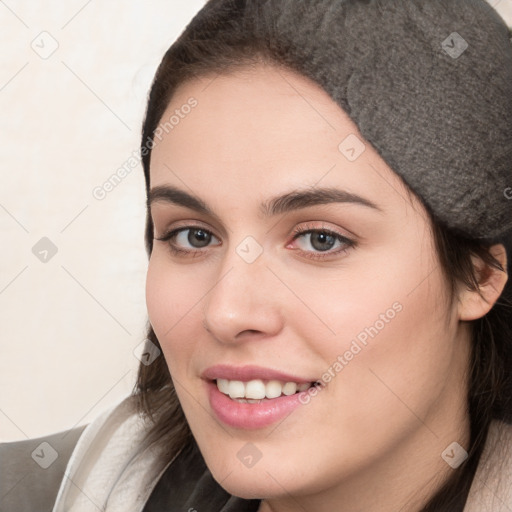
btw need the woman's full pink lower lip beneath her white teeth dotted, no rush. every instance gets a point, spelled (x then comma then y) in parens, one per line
(250, 416)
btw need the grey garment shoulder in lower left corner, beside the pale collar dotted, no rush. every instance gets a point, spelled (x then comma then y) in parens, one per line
(32, 470)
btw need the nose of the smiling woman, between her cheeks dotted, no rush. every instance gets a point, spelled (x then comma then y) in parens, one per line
(242, 303)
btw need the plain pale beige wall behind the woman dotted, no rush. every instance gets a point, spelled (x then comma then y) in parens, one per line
(73, 81)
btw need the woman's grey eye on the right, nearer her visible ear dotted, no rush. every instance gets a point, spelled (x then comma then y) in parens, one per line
(323, 241)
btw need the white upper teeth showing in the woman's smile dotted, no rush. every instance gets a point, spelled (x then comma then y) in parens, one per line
(256, 390)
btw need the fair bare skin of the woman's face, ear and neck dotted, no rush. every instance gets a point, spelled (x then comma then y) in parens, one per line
(372, 438)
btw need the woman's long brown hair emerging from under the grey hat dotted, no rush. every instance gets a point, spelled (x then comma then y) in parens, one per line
(217, 41)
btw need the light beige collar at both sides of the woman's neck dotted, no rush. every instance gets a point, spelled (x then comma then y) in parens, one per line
(111, 468)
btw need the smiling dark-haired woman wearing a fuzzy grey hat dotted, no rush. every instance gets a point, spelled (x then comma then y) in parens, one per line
(329, 208)
